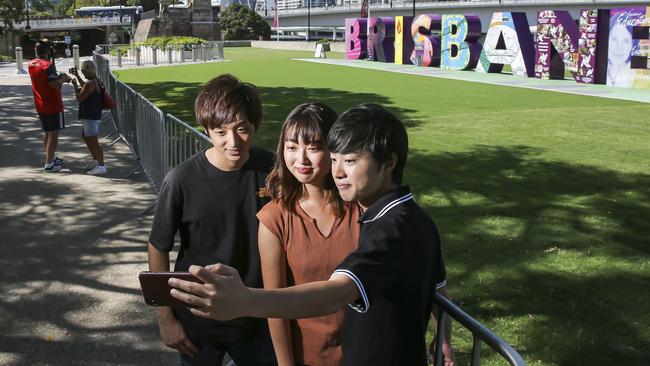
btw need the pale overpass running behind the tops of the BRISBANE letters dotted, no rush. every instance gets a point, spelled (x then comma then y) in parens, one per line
(334, 14)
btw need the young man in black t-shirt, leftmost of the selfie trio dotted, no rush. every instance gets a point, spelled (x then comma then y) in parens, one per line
(212, 199)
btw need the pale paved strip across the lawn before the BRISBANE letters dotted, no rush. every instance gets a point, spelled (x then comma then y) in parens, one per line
(562, 86)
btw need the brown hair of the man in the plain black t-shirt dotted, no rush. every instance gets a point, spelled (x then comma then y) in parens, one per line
(224, 100)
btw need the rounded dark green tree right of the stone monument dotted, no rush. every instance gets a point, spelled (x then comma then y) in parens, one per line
(241, 22)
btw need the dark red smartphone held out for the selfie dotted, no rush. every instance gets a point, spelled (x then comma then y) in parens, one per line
(155, 287)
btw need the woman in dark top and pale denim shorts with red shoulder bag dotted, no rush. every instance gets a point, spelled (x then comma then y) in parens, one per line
(89, 95)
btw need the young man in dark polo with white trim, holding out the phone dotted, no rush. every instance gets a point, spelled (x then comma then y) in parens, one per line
(389, 281)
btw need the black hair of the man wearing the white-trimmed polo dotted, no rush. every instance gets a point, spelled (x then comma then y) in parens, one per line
(371, 128)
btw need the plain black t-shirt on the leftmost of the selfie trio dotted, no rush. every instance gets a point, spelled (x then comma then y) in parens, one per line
(215, 213)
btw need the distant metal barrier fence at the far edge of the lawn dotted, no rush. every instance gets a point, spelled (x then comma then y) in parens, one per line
(123, 55)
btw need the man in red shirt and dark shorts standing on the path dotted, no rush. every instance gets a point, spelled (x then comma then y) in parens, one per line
(46, 86)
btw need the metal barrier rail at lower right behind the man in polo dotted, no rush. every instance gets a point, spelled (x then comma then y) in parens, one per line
(480, 334)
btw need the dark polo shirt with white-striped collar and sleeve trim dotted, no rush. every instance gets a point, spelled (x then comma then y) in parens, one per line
(397, 268)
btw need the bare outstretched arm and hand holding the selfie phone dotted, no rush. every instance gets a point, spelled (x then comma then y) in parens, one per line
(224, 296)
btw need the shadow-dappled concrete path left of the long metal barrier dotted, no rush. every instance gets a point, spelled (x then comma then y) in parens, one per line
(71, 246)
